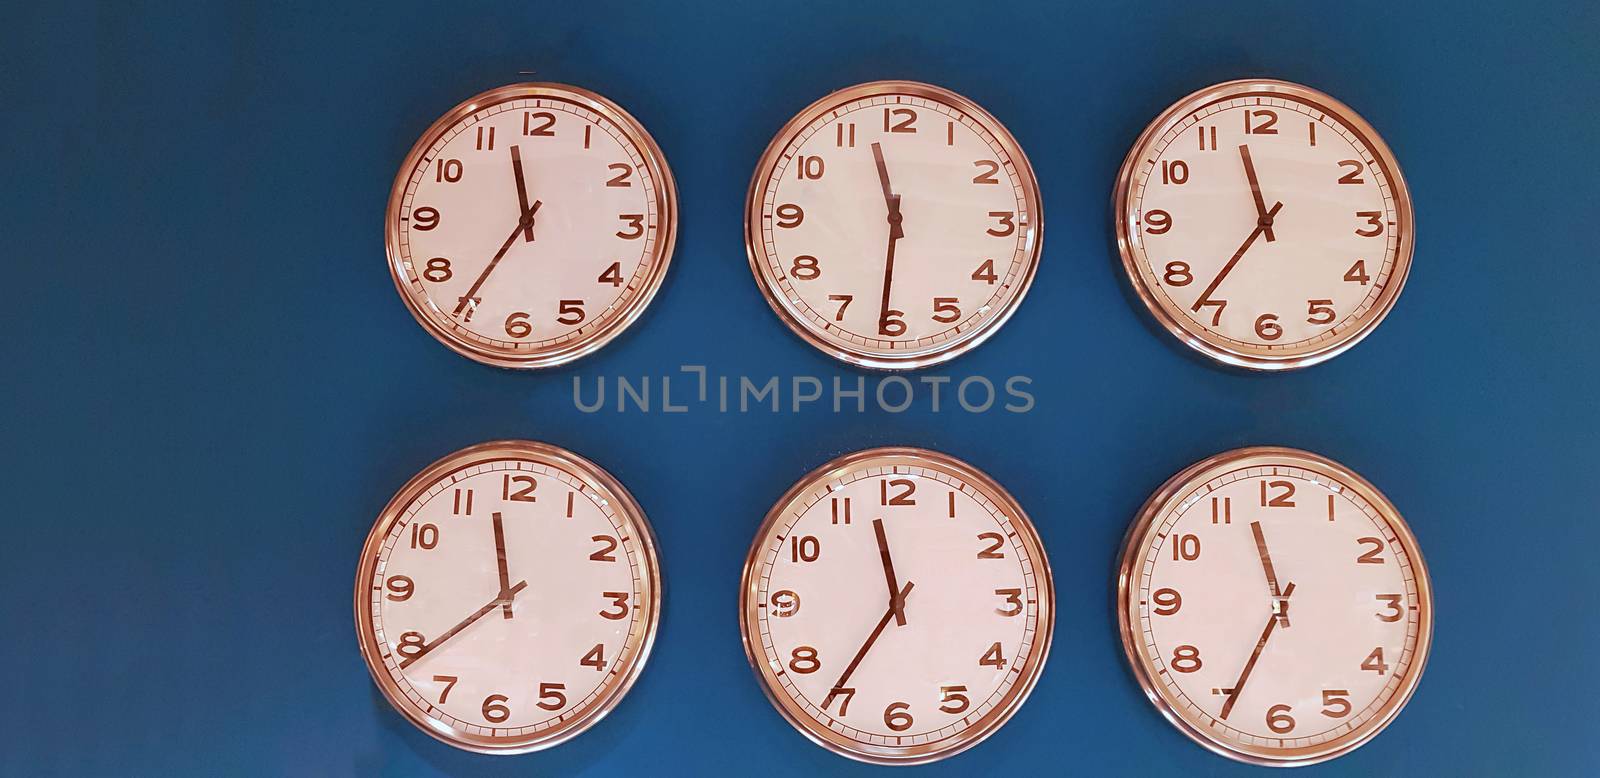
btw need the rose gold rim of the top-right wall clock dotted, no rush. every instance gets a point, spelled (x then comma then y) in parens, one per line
(1185, 329)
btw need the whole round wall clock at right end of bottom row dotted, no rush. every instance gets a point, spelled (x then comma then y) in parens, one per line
(1274, 606)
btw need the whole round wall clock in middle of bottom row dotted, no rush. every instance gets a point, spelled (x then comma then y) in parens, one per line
(897, 606)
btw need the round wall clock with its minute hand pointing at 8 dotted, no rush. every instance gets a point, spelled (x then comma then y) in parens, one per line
(508, 598)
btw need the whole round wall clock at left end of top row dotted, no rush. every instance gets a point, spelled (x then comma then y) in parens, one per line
(532, 225)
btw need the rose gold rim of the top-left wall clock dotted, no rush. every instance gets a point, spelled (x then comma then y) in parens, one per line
(561, 355)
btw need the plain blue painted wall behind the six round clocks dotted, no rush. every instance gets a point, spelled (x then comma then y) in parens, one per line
(210, 387)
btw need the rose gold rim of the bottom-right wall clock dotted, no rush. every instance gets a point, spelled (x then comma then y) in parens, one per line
(1138, 540)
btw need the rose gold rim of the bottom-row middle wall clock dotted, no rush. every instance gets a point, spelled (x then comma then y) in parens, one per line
(890, 457)
